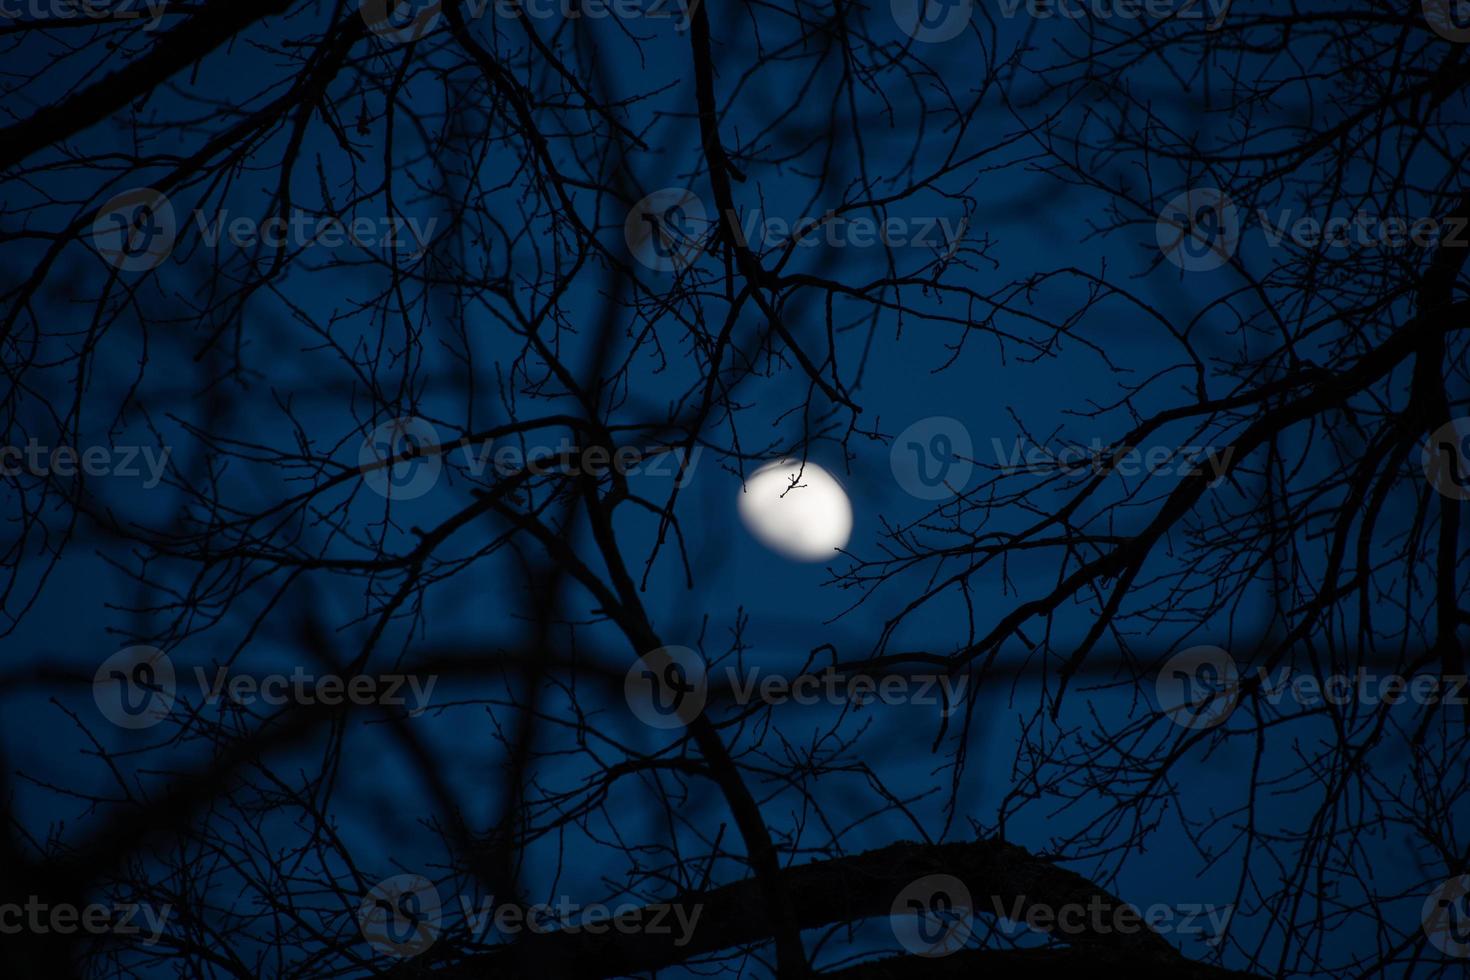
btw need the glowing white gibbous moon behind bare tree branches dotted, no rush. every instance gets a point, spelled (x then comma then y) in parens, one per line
(808, 522)
